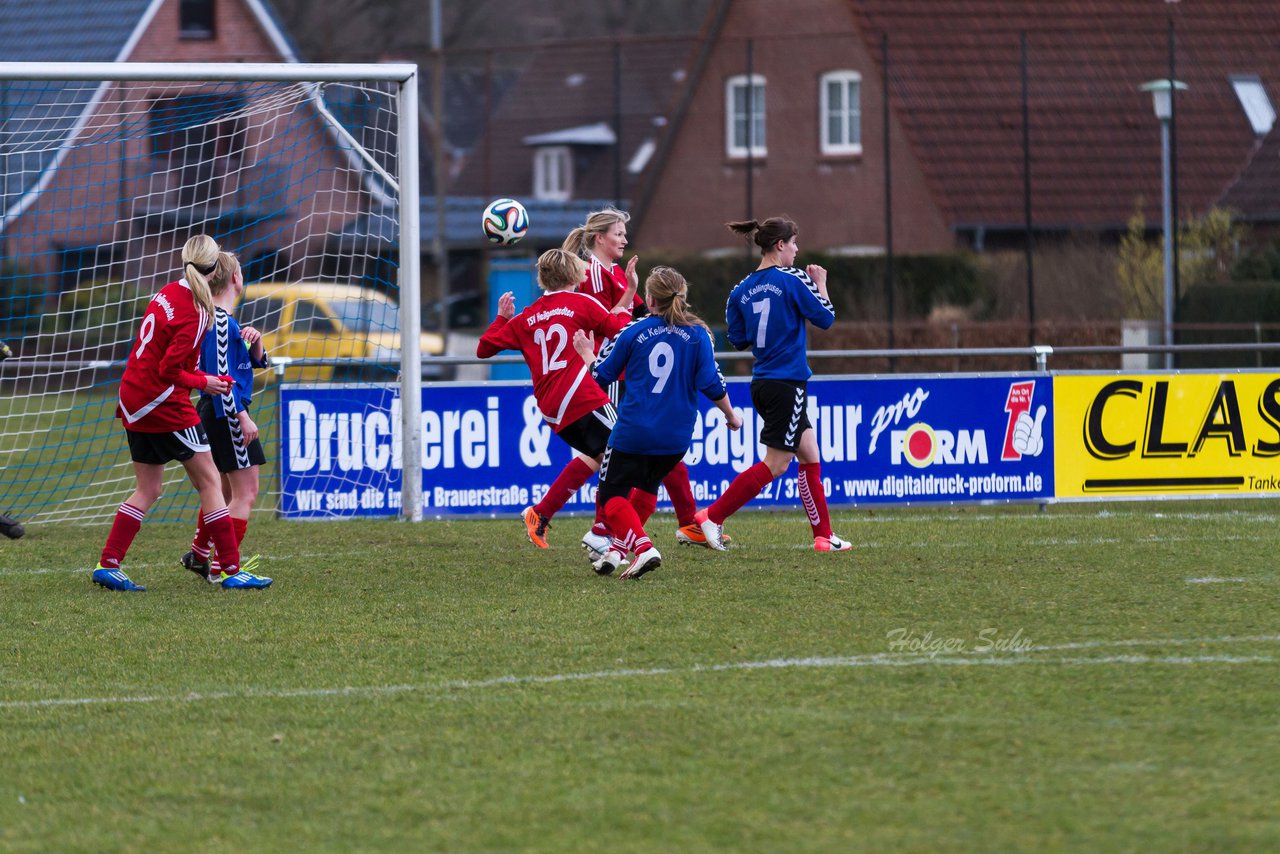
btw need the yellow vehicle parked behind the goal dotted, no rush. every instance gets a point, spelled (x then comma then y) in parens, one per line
(337, 323)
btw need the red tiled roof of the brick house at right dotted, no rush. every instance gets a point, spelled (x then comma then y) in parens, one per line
(956, 74)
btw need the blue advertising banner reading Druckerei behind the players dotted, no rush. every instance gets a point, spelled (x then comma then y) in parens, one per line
(487, 451)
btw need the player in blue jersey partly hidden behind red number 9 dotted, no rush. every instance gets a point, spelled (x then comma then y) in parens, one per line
(230, 350)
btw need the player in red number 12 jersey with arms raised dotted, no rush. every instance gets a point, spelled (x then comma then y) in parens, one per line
(572, 403)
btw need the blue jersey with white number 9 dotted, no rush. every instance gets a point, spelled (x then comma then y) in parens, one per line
(666, 368)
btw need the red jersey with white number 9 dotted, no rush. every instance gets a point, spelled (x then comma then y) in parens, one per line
(156, 391)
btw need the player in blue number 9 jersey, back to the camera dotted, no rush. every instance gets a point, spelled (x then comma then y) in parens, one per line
(668, 359)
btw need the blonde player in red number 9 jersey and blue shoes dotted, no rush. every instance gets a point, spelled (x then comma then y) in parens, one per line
(161, 421)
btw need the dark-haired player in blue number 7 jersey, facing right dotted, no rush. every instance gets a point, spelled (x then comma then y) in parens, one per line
(770, 312)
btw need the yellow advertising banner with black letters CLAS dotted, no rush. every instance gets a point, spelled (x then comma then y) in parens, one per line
(1167, 435)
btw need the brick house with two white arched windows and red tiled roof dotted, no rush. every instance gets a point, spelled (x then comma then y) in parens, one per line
(812, 84)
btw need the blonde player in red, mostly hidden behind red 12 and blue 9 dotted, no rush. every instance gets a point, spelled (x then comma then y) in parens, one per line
(602, 241)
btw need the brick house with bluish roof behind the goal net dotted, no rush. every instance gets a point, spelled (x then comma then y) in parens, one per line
(188, 162)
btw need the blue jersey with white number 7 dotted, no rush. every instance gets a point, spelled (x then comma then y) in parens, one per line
(767, 312)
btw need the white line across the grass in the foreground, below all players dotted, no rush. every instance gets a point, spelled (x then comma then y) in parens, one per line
(871, 660)
